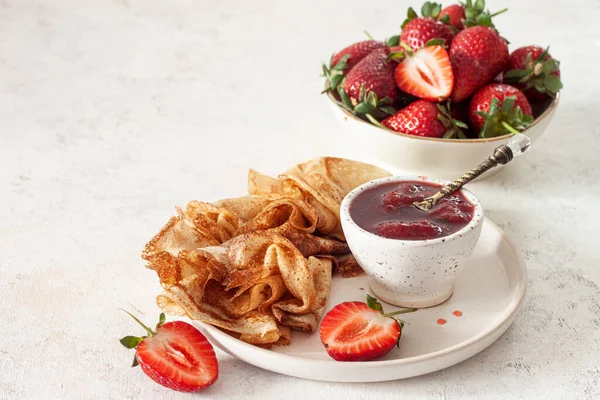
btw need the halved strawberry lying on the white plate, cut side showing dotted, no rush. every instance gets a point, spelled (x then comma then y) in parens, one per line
(355, 331)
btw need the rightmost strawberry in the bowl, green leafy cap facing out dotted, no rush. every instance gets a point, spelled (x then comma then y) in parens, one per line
(533, 70)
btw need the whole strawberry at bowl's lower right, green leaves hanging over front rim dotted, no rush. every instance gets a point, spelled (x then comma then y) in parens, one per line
(499, 109)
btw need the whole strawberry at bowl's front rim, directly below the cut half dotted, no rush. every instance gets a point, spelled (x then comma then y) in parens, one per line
(425, 118)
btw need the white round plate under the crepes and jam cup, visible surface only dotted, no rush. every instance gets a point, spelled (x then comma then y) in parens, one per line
(488, 292)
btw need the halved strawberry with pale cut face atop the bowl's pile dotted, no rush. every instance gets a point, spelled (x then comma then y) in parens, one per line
(426, 73)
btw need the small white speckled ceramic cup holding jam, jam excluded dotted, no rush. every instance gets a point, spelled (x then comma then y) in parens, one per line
(411, 273)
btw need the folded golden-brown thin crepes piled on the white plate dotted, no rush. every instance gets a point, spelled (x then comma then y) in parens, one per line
(258, 265)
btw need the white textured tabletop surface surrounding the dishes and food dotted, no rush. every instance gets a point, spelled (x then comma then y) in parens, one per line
(113, 111)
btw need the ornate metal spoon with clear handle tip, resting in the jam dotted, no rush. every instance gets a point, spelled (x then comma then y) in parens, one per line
(516, 146)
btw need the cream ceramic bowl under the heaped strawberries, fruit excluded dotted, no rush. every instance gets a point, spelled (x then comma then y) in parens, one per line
(444, 158)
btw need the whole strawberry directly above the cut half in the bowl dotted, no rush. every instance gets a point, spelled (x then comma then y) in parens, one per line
(417, 31)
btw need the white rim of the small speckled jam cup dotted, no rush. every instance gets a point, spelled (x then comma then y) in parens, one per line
(347, 203)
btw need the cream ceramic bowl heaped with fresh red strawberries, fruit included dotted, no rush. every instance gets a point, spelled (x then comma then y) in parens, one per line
(445, 92)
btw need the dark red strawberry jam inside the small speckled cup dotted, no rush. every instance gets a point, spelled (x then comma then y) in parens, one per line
(387, 210)
